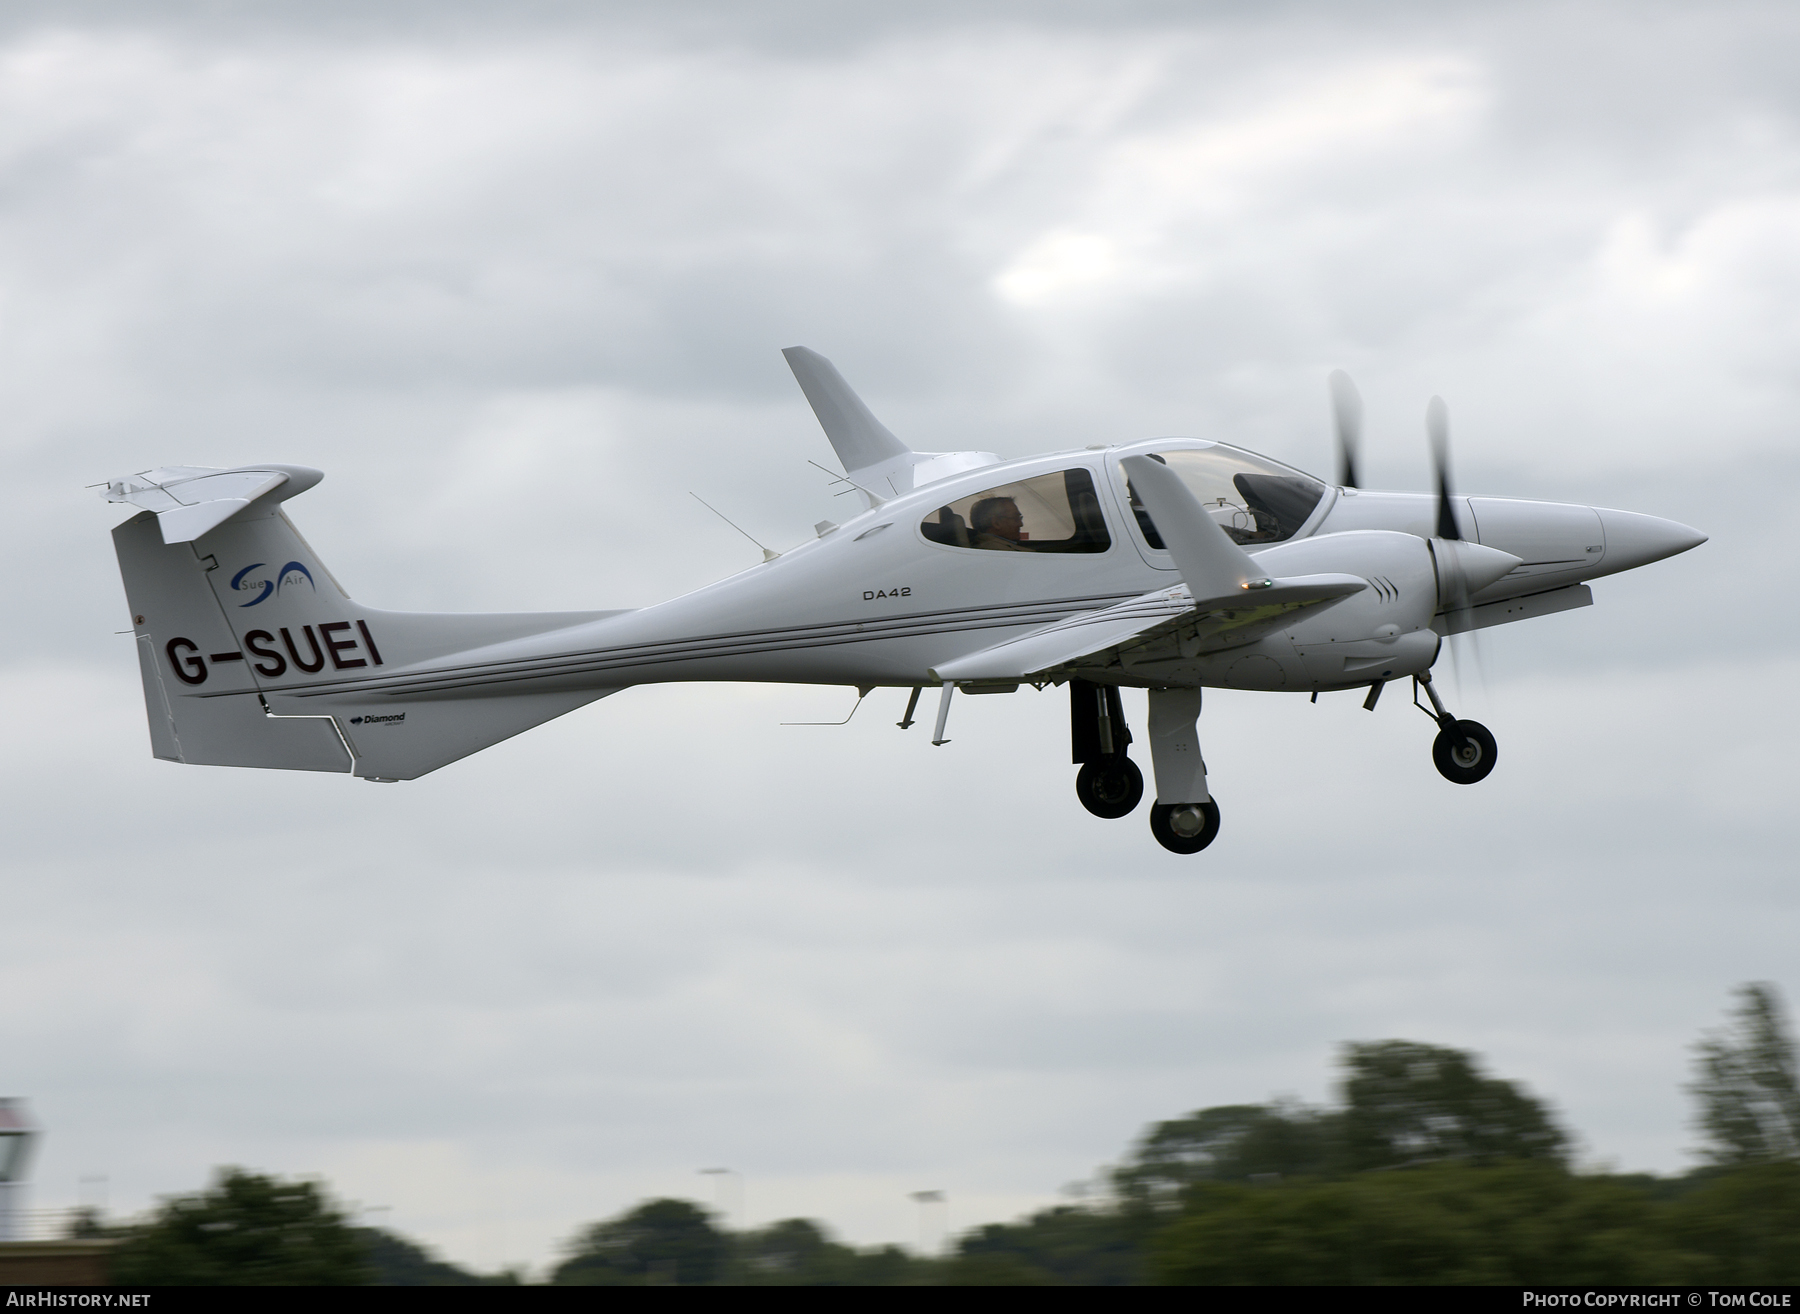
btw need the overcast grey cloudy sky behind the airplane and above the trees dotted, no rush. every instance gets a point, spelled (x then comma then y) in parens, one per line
(519, 285)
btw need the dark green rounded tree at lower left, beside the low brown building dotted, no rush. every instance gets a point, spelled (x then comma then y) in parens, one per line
(246, 1232)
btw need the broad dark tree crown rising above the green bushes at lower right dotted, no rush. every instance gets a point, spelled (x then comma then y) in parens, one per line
(1410, 1104)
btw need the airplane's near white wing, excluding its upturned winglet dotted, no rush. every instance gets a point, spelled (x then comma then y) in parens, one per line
(1198, 627)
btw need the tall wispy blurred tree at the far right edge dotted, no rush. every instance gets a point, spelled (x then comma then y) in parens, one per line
(1745, 1083)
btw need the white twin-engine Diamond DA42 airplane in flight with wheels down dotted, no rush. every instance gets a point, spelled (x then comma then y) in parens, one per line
(1167, 566)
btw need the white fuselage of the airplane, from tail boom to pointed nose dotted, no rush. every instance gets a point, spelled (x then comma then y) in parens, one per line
(894, 595)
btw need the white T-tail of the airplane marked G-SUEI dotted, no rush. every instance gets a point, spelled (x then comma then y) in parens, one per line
(255, 656)
